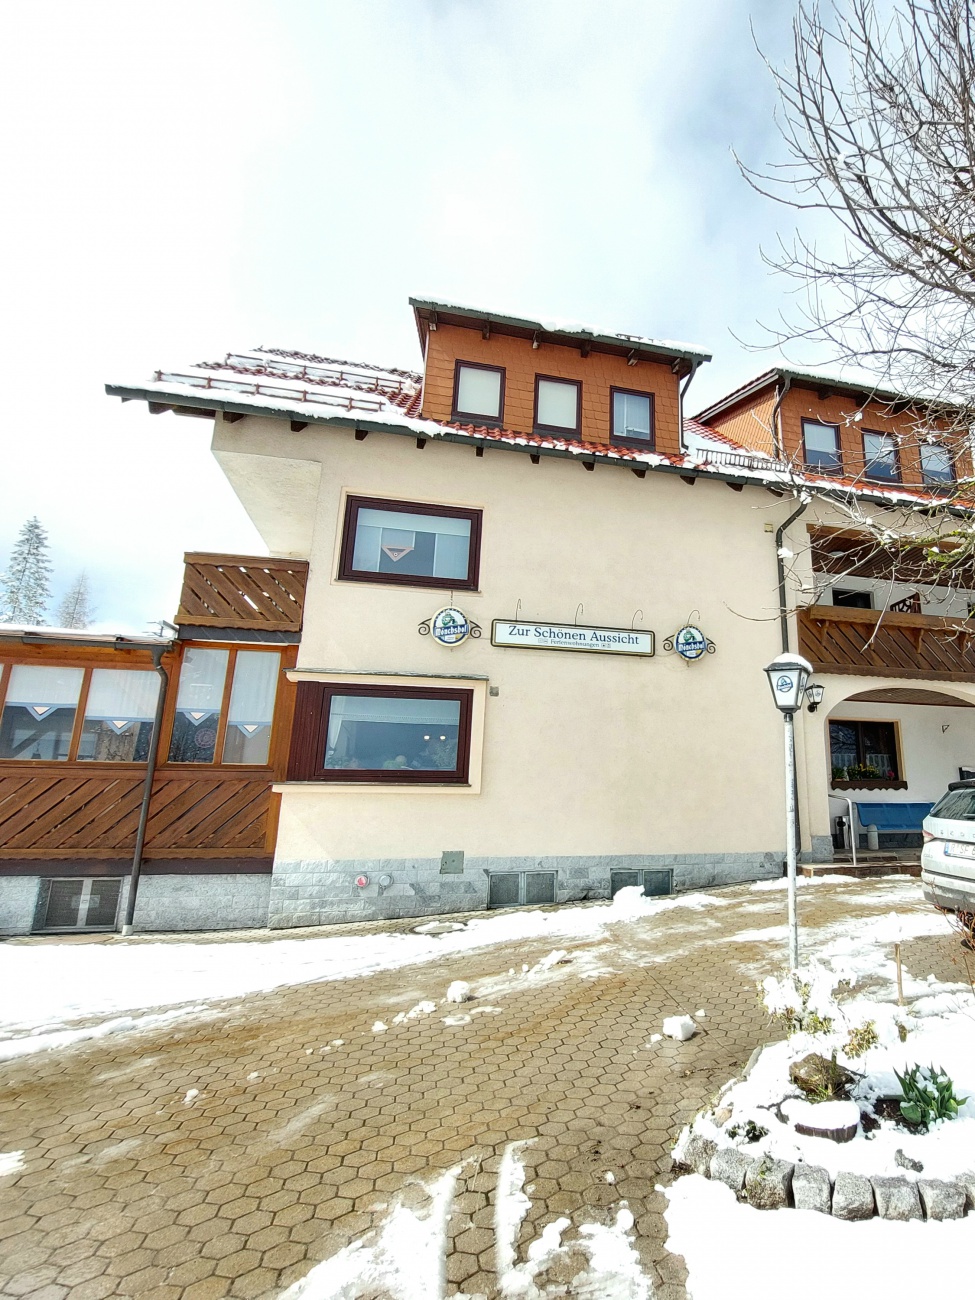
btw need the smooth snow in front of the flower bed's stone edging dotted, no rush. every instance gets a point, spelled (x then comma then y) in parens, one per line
(735, 1253)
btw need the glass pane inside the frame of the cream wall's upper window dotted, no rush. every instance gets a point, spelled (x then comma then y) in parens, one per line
(395, 541)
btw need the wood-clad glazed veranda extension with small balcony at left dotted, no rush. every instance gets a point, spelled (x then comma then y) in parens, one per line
(105, 735)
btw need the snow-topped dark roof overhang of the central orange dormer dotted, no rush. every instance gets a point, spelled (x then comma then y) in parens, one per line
(431, 314)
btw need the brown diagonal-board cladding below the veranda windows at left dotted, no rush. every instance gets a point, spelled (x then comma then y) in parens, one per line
(207, 814)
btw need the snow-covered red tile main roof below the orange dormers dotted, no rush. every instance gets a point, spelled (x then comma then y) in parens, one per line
(324, 391)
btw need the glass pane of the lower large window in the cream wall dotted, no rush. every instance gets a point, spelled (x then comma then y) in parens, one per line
(378, 734)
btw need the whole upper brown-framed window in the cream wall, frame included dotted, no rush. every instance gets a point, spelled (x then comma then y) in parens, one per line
(413, 544)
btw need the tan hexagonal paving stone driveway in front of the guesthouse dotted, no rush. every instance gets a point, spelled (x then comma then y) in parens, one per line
(296, 1147)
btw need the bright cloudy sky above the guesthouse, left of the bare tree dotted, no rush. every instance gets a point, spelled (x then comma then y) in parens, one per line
(189, 177)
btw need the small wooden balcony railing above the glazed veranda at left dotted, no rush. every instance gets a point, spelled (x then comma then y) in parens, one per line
(242, 592)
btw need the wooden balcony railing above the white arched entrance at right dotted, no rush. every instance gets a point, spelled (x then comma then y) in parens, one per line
(877, 644)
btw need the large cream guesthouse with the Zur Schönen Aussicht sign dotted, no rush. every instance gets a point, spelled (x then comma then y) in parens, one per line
(539, 603)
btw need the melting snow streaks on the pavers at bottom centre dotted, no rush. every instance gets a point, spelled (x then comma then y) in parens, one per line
(405, 1259)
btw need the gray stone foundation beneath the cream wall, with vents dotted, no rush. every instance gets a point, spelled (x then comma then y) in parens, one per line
(324, 892)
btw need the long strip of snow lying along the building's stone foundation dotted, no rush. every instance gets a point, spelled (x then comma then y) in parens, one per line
(49, 989)
